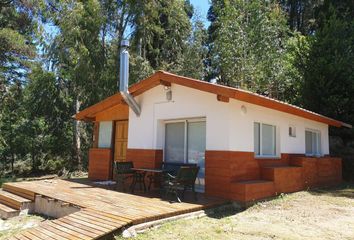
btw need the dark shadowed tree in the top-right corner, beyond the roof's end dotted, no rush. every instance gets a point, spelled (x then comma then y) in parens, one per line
(329, 77)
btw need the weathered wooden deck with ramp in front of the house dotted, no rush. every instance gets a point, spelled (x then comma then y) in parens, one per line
(103, 211)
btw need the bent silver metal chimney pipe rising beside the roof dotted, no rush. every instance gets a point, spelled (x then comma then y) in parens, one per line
(124, 78)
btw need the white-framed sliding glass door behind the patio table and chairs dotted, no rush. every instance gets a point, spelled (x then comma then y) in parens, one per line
(185, 143)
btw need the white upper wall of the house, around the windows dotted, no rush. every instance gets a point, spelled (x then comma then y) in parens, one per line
(227, 127)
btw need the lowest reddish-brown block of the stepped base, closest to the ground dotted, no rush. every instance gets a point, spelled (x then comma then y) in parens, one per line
(247, 191)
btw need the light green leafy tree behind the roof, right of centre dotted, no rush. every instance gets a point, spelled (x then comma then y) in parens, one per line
(249, 45)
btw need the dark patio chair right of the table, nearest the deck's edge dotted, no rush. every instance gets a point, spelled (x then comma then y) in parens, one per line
(184, 180)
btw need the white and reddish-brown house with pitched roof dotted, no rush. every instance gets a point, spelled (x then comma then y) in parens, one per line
(248, 146)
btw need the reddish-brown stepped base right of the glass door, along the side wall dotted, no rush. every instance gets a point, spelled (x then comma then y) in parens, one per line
(241, 177)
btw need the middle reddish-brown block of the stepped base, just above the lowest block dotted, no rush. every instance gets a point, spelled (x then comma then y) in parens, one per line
(286, 178)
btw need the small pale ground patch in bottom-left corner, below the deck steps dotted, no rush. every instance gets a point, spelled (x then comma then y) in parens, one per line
(14, 225)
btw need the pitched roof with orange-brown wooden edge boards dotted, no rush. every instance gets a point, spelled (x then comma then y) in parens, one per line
(222, 92)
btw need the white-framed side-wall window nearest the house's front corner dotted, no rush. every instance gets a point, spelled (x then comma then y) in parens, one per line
(264, 139)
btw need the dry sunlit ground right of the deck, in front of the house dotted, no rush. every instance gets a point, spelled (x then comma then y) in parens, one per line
(321, 214)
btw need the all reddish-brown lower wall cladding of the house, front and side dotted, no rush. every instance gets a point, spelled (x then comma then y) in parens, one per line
(235, 175)
